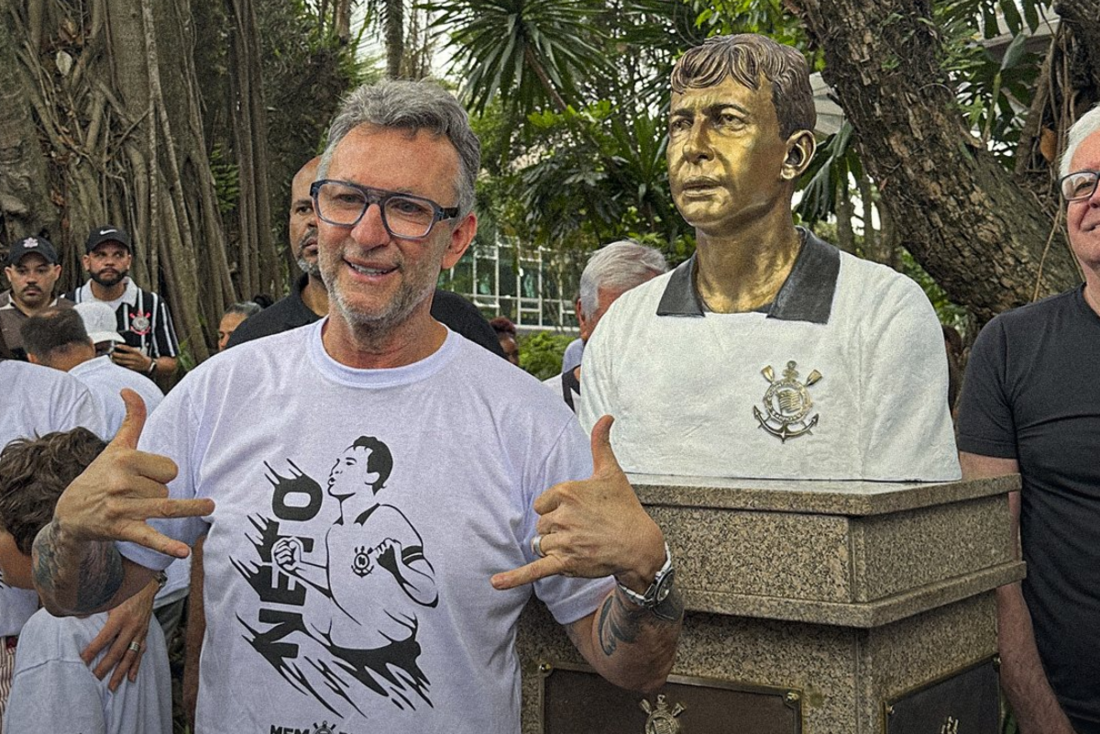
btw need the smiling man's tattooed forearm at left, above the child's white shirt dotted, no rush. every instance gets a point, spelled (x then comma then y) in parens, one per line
(75, 577)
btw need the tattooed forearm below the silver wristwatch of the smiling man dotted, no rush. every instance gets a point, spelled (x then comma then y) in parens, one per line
(632, 647)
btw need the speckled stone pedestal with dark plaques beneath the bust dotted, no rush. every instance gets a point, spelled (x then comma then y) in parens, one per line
(846, 608)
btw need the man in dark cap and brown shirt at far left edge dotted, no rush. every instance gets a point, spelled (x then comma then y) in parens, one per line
(32, 269)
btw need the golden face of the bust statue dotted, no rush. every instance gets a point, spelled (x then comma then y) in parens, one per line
(727, 159)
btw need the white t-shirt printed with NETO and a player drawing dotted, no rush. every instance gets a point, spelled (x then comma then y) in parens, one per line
(360, 516)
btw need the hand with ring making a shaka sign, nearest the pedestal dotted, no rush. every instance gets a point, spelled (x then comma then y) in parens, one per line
(595, 528)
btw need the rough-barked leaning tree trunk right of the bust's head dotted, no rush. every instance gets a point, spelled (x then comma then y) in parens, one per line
(978, 233)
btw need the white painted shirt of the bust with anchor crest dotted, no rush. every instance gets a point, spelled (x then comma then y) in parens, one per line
(862, 396)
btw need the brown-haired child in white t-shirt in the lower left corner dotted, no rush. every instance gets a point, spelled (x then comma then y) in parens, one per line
(53, 691)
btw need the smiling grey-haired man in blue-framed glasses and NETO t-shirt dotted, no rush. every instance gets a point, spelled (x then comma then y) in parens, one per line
(400, 618)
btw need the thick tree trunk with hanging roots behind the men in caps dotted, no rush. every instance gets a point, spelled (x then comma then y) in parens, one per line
(120, 140)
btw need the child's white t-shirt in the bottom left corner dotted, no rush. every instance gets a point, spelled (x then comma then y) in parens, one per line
(53, 691)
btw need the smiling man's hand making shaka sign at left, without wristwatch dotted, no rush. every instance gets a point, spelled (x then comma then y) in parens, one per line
(123, 489)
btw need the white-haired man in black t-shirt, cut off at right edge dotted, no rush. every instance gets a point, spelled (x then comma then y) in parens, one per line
(1031, 404)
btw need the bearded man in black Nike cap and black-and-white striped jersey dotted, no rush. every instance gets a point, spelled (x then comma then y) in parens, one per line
(142, 317)
